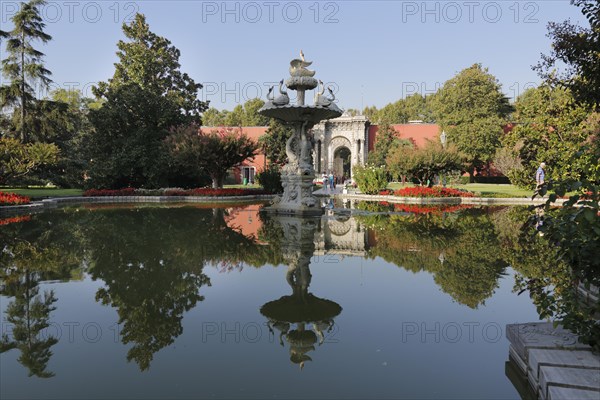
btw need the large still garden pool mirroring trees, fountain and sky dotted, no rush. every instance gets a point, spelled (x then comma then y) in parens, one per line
(197, 302)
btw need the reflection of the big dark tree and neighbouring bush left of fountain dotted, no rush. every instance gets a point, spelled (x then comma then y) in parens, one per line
(152, 261)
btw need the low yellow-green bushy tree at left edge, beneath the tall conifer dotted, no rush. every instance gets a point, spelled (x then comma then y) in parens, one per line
(18, 160)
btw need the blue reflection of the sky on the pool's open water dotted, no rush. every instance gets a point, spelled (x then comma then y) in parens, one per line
(377, 347)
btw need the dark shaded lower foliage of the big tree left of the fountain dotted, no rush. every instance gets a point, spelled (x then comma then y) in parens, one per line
(126, 149)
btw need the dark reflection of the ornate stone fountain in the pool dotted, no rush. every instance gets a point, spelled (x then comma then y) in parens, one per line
(300, 319)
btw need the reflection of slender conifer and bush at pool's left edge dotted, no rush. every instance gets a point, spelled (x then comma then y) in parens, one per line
(31, 254)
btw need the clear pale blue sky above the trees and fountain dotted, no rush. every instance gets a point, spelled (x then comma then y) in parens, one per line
(375, 52)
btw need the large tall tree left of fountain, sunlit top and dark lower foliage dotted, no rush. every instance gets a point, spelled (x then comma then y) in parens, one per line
(147, 97)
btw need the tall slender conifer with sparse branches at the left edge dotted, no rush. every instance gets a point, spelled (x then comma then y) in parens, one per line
(24, 64)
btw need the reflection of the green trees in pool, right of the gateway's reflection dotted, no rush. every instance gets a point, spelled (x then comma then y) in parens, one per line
(461, 250)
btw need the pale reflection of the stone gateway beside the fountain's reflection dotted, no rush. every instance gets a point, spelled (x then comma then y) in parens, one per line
(343, 235)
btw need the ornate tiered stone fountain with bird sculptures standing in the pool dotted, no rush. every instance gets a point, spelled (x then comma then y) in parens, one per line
(298, 174)
